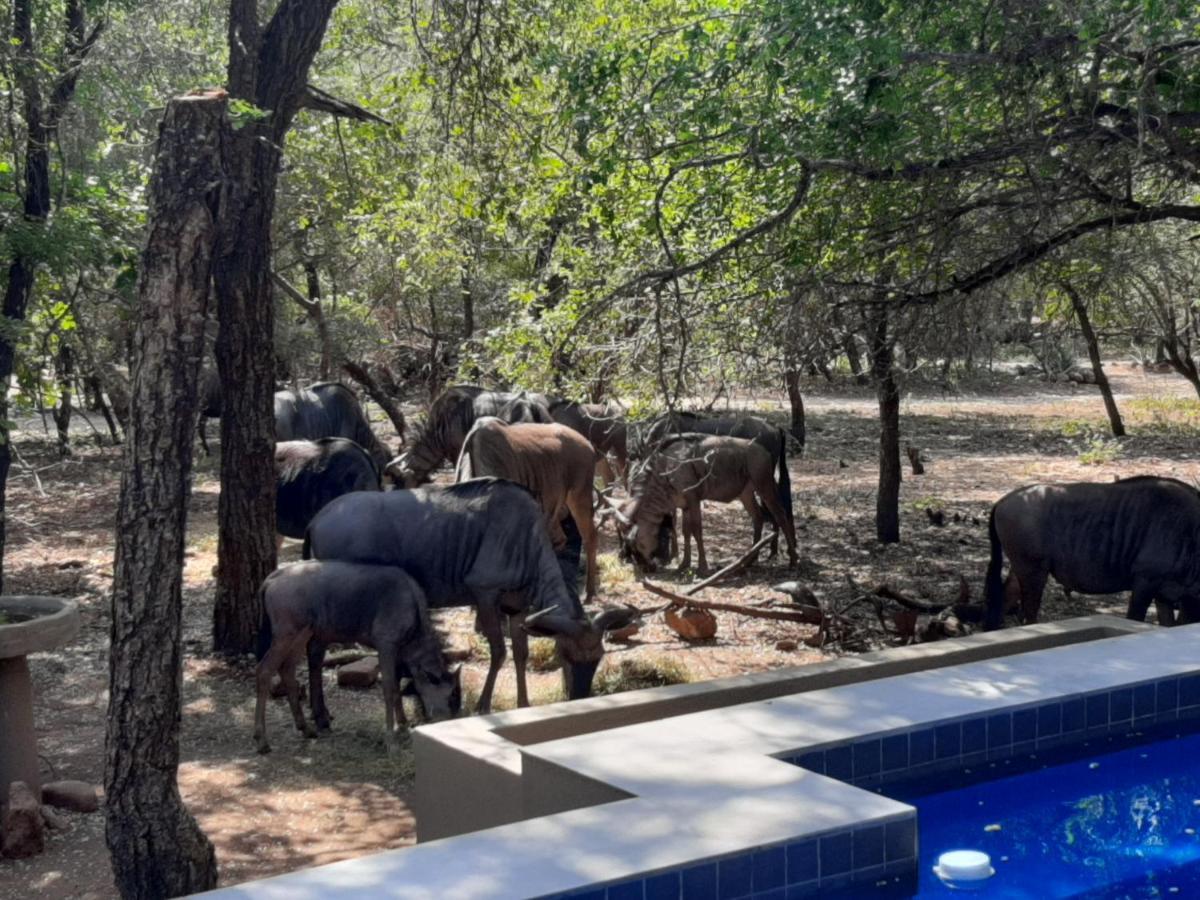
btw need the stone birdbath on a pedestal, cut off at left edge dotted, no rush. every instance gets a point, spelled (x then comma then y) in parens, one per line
(28, 625)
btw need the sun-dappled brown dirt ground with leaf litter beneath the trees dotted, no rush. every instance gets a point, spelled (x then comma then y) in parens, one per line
(314, 802)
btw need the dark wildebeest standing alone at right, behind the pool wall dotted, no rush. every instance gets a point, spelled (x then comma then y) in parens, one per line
(1141, 535)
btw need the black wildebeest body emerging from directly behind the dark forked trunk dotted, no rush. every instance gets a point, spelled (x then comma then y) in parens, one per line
(311, 475)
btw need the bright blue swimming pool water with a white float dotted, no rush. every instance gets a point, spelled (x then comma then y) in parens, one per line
(1120, 821)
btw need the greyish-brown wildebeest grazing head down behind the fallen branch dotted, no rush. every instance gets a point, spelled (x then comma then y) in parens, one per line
(691, 469)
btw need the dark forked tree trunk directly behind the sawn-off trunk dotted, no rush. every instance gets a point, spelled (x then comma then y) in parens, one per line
(268, 86)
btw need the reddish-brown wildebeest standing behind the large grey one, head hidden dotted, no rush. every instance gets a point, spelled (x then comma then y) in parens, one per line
(555, 463)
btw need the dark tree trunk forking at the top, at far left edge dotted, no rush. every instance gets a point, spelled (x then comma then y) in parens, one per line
(46, 89)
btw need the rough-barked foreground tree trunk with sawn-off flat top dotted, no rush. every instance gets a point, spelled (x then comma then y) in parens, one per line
(157, 847)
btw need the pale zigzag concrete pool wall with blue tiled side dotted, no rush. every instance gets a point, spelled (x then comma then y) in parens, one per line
(759, 799)
